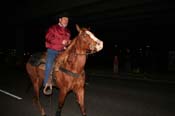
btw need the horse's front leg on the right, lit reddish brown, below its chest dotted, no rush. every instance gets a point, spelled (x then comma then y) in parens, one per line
(80, 97)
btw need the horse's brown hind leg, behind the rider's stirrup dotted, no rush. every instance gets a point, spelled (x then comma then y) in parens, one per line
(36, 97)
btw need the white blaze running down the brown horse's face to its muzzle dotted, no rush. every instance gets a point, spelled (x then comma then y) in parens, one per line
(99, 45)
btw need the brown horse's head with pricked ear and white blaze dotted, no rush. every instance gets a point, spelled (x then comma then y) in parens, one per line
(88, 40)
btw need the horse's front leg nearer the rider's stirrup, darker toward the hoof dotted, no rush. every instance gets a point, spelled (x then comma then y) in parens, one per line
(61, 98)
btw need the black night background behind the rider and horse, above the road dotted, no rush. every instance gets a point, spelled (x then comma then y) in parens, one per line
(145, 27)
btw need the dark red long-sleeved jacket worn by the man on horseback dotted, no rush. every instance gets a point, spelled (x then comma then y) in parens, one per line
(54, 37)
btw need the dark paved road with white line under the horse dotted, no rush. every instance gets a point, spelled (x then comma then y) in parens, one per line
(104, 97)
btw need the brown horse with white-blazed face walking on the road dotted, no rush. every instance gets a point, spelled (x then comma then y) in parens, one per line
(68, 71)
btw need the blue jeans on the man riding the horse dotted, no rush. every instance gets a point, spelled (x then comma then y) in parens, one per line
(51, 55)
